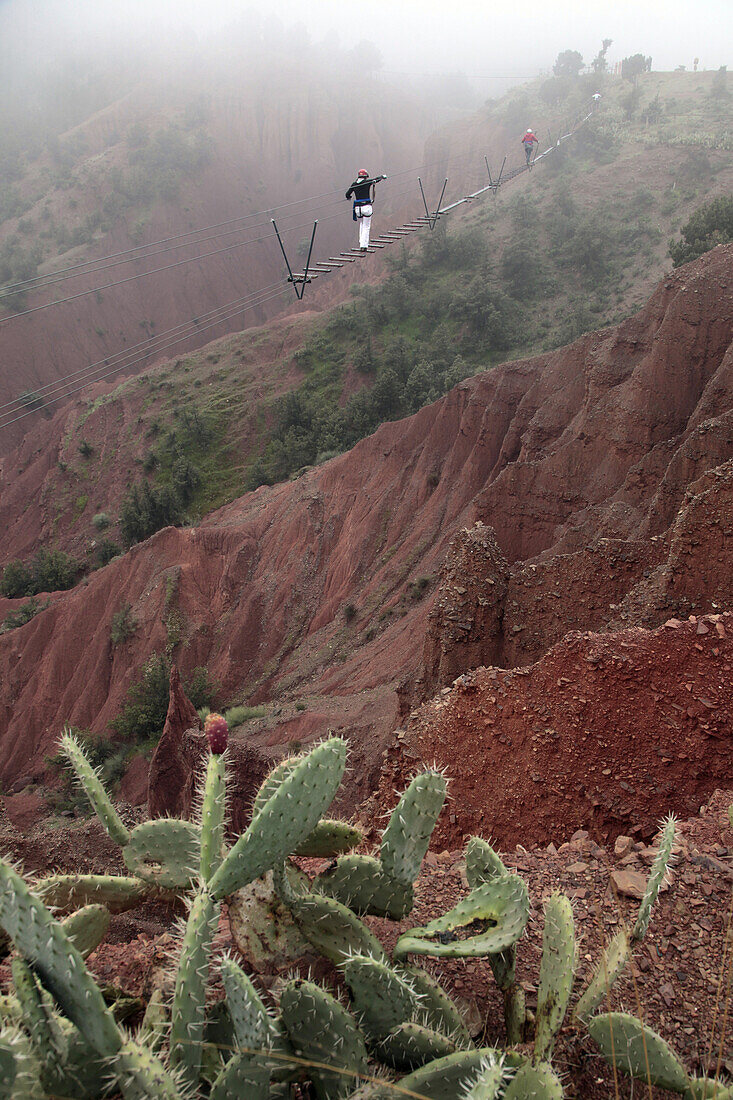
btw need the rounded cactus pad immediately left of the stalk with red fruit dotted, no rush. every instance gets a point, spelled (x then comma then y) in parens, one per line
(166, 853)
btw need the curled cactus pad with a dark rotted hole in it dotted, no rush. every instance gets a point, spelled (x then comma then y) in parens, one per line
(496, 914)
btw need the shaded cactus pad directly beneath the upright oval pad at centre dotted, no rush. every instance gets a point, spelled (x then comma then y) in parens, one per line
(362, 884)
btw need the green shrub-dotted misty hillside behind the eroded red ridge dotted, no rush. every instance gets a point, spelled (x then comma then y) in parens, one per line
(577, 245)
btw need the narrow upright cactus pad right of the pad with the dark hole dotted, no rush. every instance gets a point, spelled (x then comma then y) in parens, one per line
(555, 974)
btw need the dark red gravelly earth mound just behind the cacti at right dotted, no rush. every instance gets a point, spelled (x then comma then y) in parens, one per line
(604, 733)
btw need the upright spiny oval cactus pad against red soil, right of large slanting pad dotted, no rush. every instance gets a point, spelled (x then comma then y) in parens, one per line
(408, 835)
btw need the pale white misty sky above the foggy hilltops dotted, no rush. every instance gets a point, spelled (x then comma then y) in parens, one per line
(517, 39)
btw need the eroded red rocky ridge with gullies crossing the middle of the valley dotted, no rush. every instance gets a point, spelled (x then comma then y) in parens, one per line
(597, 467)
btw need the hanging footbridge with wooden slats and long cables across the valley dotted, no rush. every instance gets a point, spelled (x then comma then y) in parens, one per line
(68, 386)
